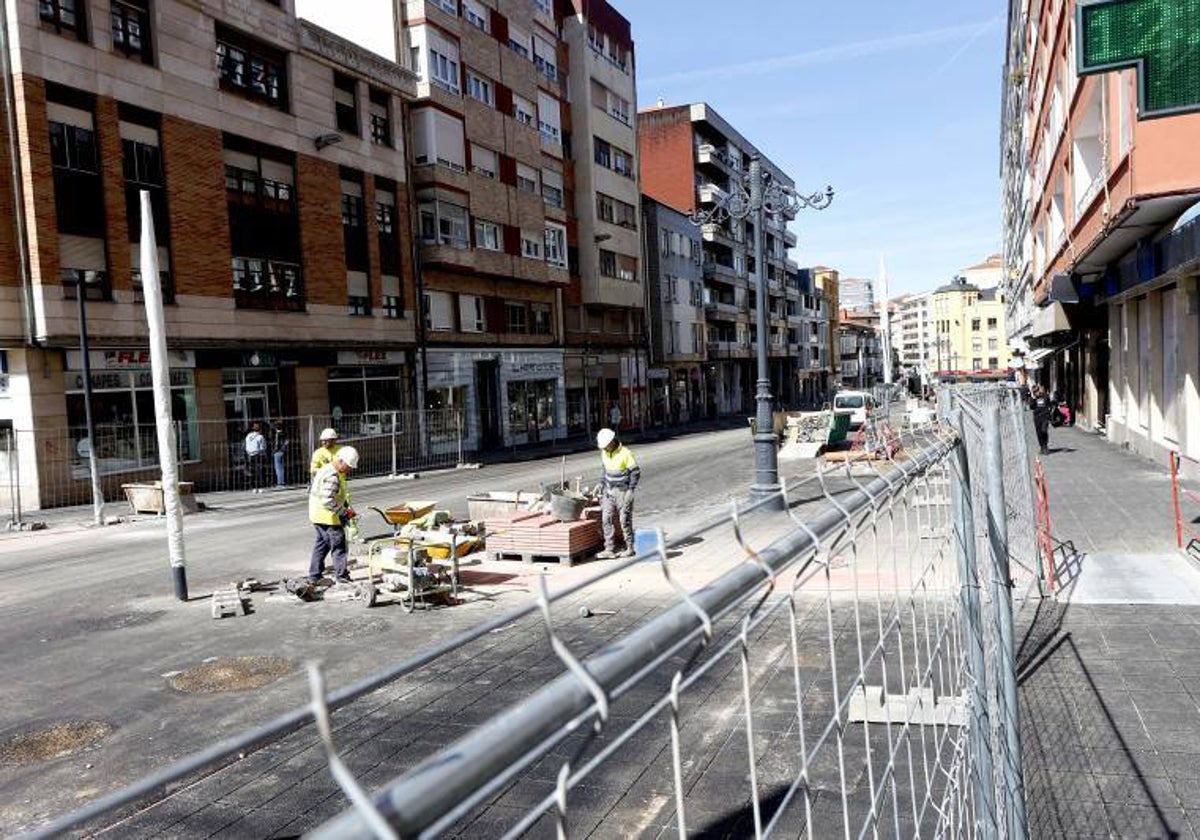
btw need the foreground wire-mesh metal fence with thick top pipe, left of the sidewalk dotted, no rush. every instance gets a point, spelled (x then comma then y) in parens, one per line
(839, 679)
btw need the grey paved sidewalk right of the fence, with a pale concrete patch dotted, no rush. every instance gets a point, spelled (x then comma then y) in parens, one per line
(1108, 671)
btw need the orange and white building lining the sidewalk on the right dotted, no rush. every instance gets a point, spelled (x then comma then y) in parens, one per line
(1100, 236)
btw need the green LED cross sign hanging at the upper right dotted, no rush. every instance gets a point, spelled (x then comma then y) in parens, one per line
(1160, 38)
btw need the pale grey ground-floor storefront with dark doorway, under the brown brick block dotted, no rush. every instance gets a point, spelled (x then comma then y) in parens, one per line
(506, 398)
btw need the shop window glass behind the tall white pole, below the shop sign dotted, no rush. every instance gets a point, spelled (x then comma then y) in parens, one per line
(124, 421)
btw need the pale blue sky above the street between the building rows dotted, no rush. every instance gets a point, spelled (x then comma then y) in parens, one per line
(896, 105)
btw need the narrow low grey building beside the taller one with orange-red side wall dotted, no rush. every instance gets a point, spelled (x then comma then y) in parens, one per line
(677, 315)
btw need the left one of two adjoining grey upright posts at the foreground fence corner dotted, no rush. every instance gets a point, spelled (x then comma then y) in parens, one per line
(965, 554)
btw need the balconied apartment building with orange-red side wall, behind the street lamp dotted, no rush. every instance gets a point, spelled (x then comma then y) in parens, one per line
(692, 158)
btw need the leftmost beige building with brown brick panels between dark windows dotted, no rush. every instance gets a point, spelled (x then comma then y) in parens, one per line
(274, 153)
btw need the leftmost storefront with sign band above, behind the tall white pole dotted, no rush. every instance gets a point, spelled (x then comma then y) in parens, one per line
(124, 410)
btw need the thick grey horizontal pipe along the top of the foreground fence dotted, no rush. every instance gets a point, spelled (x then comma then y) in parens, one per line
(417, 800)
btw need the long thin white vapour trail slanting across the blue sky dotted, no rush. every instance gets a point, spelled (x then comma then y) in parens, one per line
(843, 52)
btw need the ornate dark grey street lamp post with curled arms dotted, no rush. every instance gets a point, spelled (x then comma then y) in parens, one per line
(764, 197)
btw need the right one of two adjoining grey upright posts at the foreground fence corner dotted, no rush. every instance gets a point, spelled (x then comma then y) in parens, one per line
(1003, 607)
